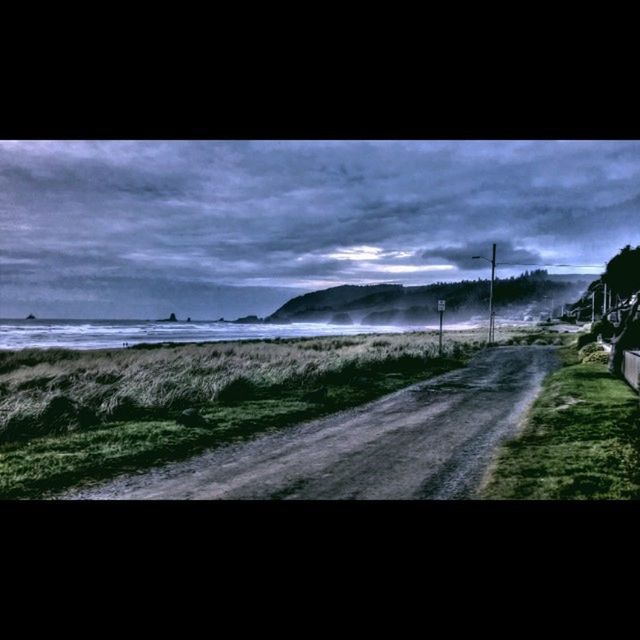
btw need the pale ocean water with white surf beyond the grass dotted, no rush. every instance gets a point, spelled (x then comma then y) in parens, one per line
(100, 334)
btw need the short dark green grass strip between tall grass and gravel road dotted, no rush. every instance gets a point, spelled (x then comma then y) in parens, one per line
(44, 466)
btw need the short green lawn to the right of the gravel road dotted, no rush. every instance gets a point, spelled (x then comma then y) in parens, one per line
(581, 440)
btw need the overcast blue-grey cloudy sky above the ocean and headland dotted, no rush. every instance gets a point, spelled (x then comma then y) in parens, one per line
(127, 229)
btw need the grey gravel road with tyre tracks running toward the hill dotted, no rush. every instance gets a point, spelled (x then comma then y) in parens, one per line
(433, 440)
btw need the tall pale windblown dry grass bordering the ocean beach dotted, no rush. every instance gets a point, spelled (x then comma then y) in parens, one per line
(45, 391)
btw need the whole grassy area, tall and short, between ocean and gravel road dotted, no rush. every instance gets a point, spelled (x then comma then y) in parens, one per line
(68, 417)
